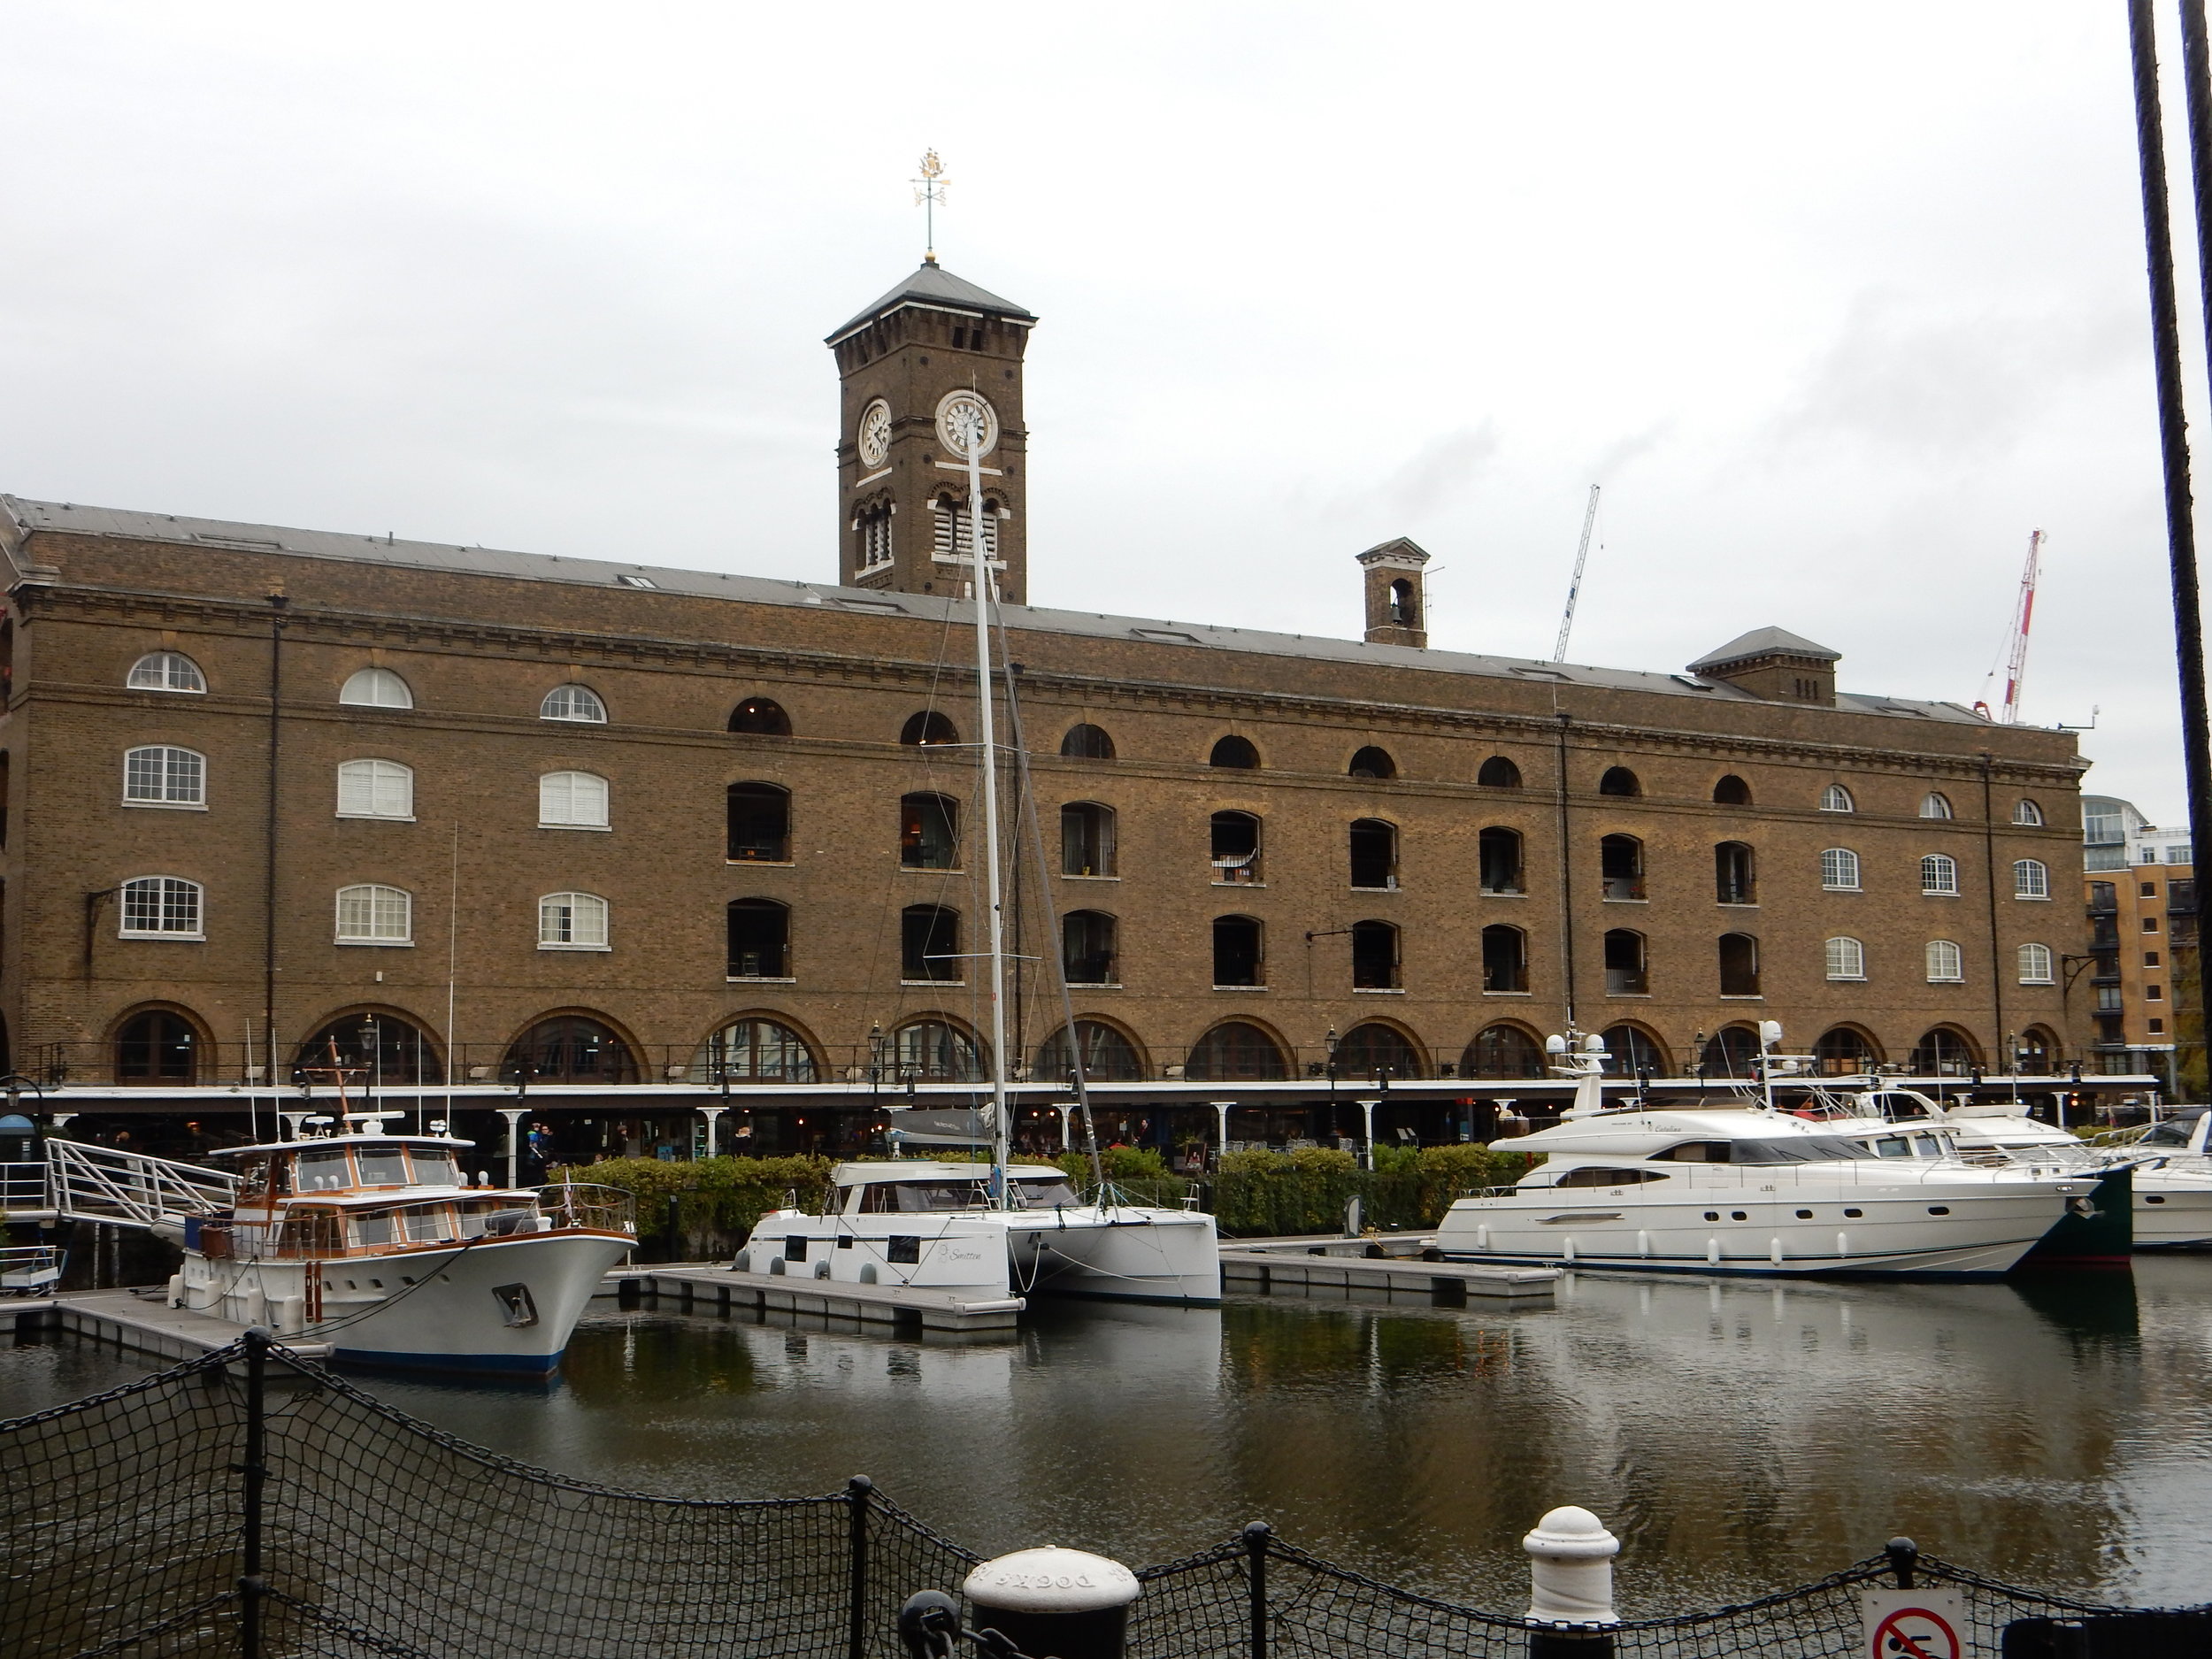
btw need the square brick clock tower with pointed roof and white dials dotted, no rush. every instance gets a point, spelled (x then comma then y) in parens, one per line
(919, 371)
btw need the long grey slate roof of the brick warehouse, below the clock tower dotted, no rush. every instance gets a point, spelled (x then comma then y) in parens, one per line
(751, 589)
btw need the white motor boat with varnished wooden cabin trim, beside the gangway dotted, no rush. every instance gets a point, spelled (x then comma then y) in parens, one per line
(375, 1244)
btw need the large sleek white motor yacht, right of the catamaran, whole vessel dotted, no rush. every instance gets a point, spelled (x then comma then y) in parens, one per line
(1755, 1191)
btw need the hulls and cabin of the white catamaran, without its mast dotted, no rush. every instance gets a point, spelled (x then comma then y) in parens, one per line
(943, 1227)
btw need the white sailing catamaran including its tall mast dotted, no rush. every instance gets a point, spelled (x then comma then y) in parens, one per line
(992, 1229)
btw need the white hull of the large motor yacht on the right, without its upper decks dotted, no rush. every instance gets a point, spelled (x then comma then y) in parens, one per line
(1788, 1229)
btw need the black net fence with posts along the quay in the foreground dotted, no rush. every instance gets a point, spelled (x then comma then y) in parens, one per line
(253, 1505)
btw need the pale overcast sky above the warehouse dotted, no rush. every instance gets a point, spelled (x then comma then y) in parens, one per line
(1837, 304)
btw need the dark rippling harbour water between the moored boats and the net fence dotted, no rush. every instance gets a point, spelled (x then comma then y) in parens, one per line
(1740, 1437)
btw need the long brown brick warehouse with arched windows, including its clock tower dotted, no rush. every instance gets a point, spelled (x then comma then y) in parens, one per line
(607, 844)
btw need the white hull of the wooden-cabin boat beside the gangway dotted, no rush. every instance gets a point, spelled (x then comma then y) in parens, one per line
(494, 1306)
